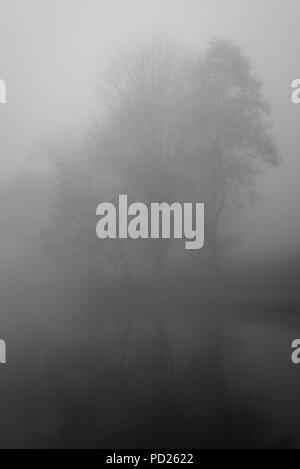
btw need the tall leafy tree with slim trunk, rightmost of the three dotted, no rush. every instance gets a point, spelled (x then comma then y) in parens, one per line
(230, 131)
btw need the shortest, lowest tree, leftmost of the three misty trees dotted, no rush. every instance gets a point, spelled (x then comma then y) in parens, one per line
(70, 235)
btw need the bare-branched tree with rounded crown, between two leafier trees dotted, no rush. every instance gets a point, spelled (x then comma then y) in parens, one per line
(139, 143)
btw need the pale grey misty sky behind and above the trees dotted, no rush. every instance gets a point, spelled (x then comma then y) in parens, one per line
(52, 50)
